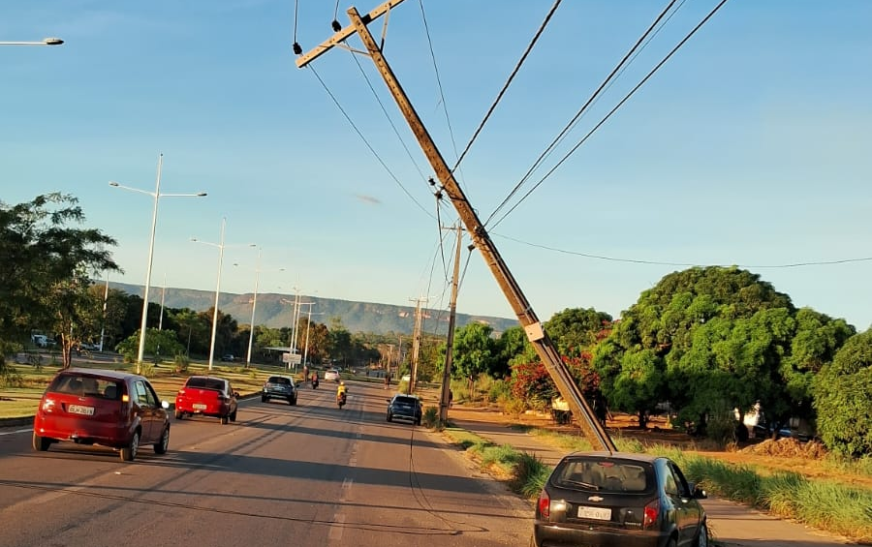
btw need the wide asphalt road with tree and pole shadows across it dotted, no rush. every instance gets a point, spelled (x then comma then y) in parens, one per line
(281, 475)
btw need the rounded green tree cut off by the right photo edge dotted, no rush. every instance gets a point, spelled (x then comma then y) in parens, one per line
(842, 395)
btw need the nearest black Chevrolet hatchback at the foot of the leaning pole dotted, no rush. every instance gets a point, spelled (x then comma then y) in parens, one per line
(632, 500)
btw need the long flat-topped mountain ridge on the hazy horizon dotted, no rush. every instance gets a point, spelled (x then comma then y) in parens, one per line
(273, 310)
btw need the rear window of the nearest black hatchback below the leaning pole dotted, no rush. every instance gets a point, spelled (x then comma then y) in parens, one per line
(607, 475)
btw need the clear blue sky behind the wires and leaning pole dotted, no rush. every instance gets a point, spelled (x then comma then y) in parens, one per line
(751, 146)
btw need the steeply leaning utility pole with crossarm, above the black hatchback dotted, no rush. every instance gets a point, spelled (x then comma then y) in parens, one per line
(537, 336)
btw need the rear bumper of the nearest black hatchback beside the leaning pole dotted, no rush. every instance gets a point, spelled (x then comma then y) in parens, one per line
(560, 535)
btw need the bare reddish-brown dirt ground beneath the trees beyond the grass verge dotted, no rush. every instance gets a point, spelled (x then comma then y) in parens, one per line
(770, 456)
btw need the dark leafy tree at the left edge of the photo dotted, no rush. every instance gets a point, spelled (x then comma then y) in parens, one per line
(47, 259)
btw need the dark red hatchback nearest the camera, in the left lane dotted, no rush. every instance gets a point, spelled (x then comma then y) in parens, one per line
(104, 407)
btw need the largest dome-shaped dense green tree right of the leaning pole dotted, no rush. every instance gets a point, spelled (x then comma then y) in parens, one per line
(697, 328)
